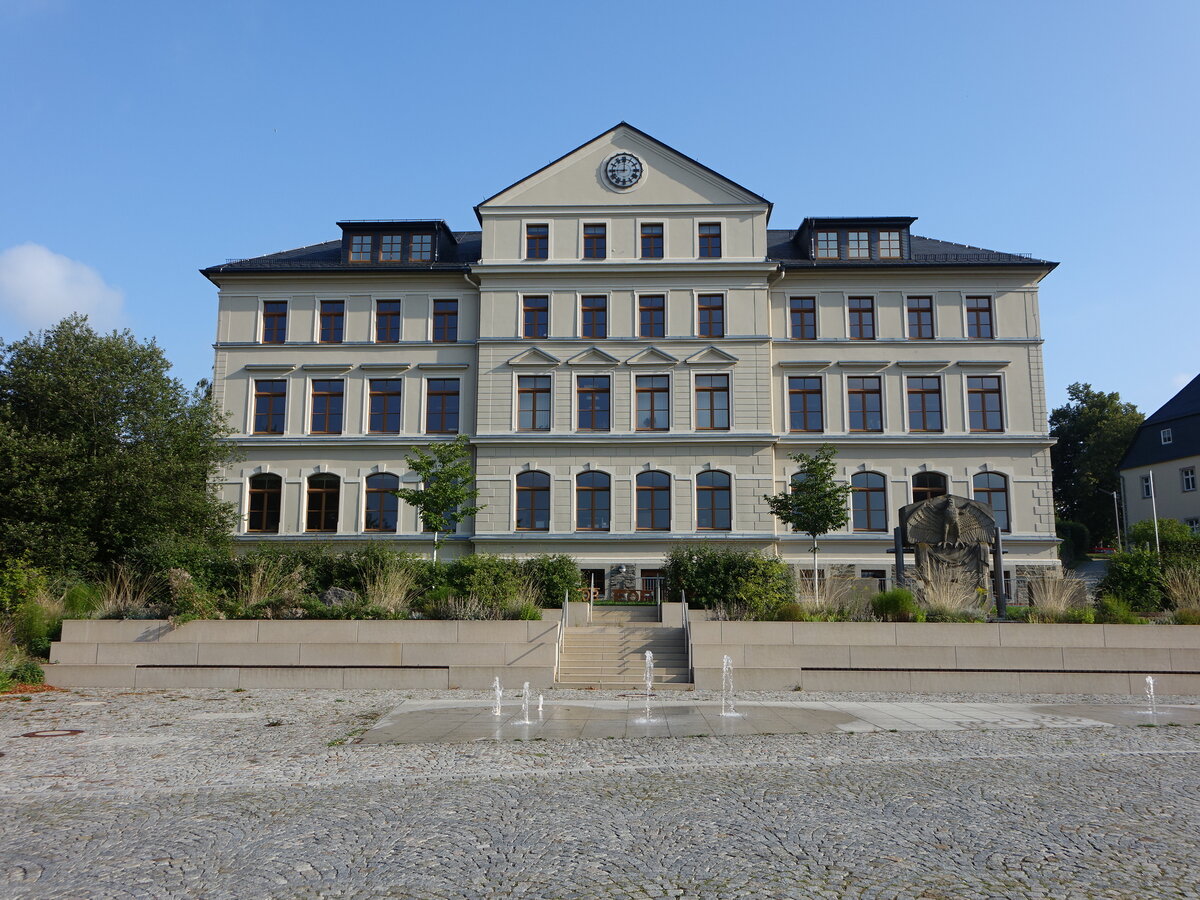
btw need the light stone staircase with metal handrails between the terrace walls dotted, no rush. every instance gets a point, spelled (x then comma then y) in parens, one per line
(611, 652)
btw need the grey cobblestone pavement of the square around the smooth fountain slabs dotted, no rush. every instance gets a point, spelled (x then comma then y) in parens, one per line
(207, 794)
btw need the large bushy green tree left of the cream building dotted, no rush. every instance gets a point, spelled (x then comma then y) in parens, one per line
(104, 457)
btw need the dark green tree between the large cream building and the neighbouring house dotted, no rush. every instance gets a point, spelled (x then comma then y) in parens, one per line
(1094, 433)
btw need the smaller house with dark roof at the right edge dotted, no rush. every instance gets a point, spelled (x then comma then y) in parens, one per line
(1160, 469)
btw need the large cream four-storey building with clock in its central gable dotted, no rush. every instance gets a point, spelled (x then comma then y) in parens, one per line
(634, 356)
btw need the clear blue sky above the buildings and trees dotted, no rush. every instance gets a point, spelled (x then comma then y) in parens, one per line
(143, 141)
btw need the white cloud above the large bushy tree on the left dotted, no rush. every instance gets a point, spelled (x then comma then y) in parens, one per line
(39, 287)
